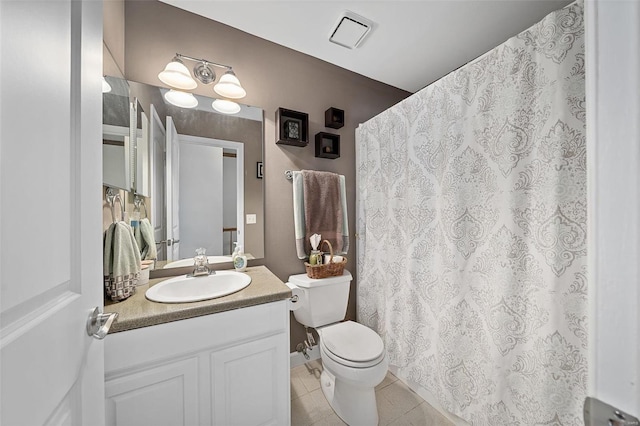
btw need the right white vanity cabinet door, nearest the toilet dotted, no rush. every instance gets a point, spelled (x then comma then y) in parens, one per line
(250, 383)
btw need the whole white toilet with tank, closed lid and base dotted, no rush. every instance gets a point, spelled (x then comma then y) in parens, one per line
(352, 354)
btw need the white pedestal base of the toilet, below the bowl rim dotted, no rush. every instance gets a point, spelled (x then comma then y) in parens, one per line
(354, 405)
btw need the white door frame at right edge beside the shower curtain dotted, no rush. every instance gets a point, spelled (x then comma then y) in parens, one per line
(613, 152)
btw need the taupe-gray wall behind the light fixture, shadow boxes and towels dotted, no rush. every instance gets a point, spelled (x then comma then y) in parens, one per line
(273, 76)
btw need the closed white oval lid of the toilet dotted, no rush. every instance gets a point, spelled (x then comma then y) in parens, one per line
(352, 341)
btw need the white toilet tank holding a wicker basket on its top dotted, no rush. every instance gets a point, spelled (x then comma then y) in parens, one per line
(325, 300)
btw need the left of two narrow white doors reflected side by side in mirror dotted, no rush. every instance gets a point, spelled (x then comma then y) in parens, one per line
(158, 220)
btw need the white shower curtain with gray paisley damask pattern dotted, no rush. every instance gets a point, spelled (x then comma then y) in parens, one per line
(472, 231)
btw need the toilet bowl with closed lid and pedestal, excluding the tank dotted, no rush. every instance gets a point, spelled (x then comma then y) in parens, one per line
(354, 363)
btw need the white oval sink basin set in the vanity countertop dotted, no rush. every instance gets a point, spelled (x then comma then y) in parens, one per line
(184, 289)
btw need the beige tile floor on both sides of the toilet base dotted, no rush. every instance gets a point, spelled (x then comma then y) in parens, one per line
(397, 404)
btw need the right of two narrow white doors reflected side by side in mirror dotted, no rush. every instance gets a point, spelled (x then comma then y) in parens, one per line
(173, 191)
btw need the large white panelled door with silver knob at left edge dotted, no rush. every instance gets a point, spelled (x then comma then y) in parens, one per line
(52, 372)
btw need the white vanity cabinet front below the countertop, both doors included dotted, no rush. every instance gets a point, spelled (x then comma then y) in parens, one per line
(228, 368)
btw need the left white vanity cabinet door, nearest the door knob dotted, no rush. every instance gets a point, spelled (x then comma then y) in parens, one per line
(162, 395)
